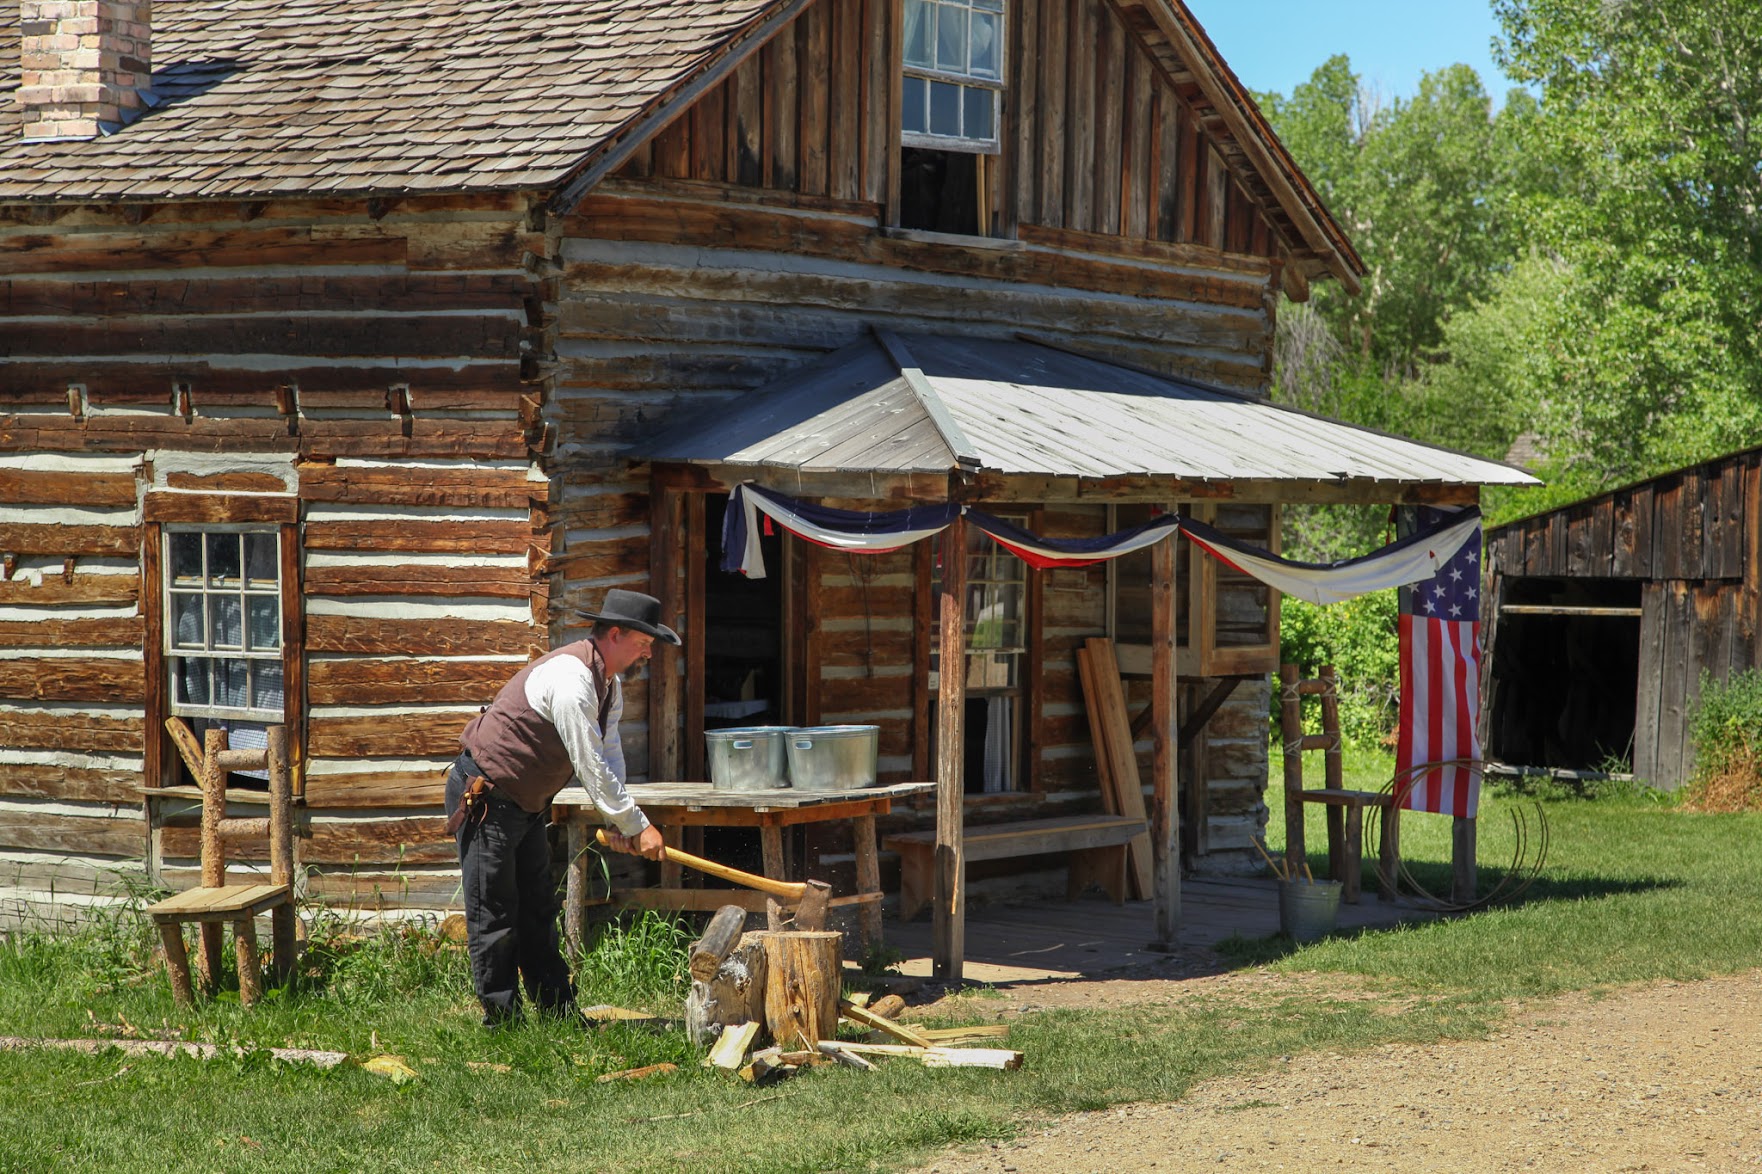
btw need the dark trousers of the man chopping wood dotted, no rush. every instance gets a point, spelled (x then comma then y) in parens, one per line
(510, 903)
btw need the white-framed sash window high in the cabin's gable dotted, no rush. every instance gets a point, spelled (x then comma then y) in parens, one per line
(954, 75)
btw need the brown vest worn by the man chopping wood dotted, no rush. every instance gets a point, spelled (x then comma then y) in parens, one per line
(519, 750)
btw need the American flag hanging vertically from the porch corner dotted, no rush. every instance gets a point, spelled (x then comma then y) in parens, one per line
(1440, 678)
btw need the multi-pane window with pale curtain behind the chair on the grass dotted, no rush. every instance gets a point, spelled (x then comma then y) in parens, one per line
(225, 623)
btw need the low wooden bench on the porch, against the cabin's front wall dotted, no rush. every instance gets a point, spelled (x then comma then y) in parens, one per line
(1097, 845)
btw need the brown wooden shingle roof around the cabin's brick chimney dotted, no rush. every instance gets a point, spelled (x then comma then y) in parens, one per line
(315, 98)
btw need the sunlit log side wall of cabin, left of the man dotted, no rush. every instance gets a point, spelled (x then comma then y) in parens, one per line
(348, 371)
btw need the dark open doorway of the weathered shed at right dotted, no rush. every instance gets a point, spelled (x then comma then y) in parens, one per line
(1564, 683)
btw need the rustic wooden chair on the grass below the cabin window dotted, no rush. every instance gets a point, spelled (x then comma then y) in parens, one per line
(214, 902)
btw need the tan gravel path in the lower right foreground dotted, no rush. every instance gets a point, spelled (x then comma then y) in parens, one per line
(1655, 1078)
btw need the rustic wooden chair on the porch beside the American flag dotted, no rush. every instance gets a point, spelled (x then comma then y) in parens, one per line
(1345, 808)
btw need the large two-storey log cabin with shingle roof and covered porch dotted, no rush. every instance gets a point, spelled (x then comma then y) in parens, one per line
(350, 352)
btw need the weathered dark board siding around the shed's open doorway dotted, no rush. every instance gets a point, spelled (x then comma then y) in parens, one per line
(1691, 540)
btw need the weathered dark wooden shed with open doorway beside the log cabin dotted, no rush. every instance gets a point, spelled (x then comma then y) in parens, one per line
(1610, 611)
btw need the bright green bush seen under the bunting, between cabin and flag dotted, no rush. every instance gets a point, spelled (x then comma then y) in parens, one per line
(1358, 639)
